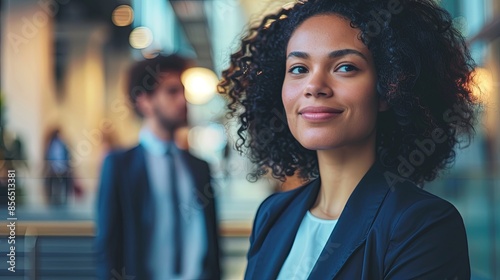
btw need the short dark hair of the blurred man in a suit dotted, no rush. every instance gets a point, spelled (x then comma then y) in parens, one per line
(143, 75)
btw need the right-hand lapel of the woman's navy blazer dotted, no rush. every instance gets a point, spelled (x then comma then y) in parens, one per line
(353, 225)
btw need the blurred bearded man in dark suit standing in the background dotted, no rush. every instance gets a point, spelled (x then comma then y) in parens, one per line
(156, 214)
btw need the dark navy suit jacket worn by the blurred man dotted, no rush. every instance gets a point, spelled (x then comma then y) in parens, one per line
(125, 215)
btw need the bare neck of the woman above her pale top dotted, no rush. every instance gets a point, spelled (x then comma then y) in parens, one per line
(340, 172)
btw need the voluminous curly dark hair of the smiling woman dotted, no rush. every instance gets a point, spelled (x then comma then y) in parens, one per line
(424, 73)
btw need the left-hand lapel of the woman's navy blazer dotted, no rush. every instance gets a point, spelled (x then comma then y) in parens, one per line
(280, 238)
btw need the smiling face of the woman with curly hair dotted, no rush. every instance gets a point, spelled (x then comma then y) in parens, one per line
(329, 88)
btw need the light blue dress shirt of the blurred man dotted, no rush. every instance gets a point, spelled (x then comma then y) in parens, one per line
(192, 220)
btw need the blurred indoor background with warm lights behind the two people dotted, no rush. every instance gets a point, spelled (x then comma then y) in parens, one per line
(63, 70)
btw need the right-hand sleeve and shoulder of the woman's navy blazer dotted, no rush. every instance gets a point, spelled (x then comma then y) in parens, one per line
(427, 232)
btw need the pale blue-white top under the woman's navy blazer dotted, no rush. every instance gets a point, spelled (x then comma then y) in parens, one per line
(310, 240)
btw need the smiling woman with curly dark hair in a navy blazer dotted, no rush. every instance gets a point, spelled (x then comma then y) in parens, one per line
(376, 95)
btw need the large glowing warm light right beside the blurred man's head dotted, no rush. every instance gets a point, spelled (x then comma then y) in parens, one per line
(200, 85)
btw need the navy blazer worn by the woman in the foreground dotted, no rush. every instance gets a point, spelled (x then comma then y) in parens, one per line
(401, 232)
